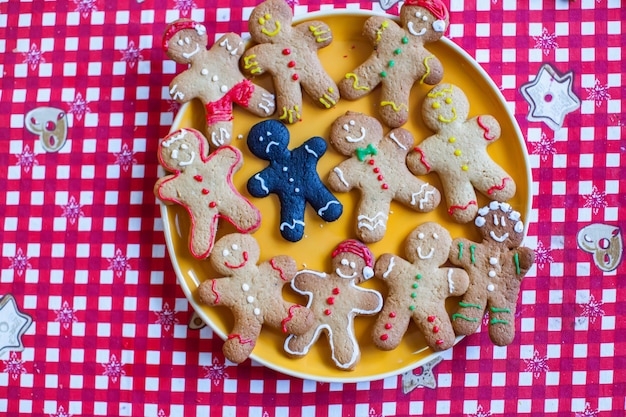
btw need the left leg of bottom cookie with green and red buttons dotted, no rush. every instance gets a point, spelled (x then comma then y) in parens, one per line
(391, 326)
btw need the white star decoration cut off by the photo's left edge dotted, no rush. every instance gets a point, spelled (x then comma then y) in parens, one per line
(13, 325)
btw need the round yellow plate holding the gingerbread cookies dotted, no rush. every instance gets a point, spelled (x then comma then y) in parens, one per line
(346, 52)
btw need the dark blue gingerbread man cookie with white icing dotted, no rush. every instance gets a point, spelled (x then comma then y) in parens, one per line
(292, 176)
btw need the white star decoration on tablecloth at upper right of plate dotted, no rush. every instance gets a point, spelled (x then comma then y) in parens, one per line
(550, 97)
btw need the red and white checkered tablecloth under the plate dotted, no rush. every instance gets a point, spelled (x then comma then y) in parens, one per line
(85, 273)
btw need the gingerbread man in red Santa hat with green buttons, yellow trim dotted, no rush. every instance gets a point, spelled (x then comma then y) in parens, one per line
(399, 59)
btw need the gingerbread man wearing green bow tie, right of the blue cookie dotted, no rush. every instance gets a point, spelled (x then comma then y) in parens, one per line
(378, 168)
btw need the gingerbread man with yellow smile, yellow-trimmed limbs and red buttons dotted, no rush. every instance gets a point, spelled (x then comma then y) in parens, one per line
(289, 54)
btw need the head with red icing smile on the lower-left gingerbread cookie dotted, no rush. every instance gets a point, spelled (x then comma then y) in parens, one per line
(234, 252)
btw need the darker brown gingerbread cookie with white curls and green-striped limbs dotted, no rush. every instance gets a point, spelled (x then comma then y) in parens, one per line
(496, 267)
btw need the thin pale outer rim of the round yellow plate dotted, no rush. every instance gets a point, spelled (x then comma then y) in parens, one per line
(347, 379)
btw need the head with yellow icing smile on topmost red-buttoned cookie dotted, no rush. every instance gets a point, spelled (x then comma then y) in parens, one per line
(270, 21)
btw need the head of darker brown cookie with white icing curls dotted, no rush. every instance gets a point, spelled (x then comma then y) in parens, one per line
(499, 223)
